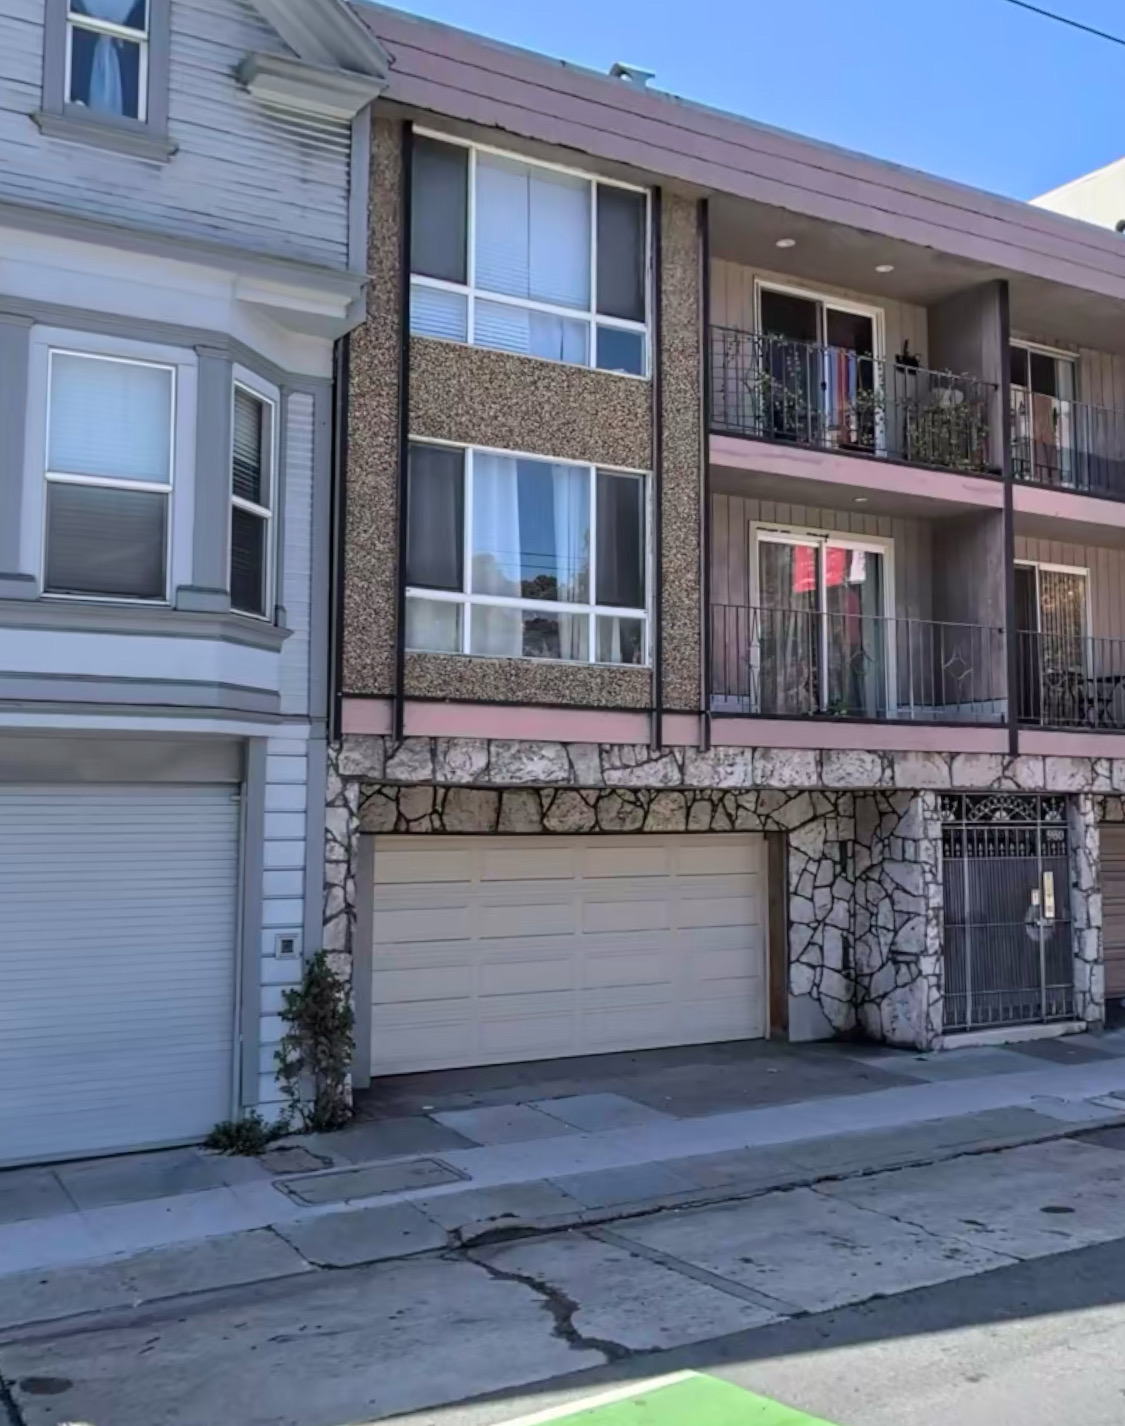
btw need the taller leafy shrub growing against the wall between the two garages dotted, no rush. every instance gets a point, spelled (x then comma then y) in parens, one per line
(316, 1056)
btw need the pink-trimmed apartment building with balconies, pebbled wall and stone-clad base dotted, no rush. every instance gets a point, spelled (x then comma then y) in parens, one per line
(731, 634)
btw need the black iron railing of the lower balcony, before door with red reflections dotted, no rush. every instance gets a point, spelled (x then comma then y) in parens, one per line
(806, 664)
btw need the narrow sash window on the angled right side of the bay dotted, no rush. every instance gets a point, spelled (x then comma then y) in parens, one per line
(253, 501)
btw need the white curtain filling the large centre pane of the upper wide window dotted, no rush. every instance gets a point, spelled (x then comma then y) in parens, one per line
(533, 233)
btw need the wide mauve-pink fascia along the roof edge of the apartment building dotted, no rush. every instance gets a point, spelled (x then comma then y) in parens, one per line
(454, 73)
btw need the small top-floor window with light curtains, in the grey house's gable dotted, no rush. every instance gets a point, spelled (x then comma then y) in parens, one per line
(108, 58)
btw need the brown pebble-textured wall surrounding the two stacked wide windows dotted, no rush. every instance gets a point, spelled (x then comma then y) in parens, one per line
(497, 400)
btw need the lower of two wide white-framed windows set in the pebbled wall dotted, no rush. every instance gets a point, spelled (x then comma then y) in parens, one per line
(523, 557)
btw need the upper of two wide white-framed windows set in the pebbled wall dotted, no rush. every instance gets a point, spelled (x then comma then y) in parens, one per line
(528, 257)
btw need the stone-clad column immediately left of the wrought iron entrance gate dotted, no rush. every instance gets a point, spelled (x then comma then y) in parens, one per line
(899, 918)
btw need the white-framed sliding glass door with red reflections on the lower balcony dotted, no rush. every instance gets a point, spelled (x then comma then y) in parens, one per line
(821, 638)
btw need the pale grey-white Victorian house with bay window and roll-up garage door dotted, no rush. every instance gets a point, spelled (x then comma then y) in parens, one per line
(183, 212)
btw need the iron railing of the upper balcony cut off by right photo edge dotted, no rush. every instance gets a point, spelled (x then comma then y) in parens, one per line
(1069, 444)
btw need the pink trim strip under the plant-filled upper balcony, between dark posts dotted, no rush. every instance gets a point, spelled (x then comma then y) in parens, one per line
(852, 473)
